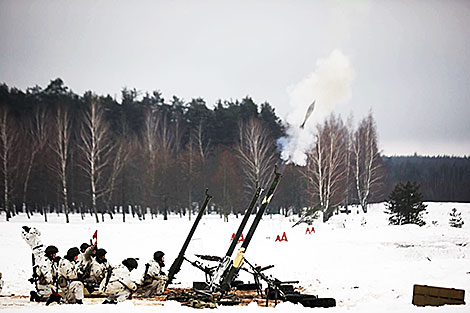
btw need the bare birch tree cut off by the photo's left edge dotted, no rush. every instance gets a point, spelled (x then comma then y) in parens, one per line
(8, 139)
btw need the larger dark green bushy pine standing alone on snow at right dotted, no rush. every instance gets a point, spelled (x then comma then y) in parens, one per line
(406, 205)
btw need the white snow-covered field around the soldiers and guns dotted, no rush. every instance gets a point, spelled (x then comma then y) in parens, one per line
(358, 259)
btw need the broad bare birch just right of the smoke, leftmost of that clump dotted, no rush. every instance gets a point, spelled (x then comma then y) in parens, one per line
(326, 166)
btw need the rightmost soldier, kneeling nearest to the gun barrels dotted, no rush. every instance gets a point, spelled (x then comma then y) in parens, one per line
(154, 279)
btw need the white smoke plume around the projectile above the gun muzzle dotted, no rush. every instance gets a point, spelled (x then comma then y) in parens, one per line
(329, 84)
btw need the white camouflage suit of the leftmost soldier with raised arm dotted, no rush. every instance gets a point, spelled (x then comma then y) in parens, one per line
(44, 268)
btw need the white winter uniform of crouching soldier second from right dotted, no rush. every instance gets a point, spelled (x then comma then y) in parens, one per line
(120, 286)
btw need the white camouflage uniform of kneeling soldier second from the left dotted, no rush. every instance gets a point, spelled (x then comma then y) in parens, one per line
(73, 289)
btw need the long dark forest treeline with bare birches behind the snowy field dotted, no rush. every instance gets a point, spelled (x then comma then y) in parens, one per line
(145, 155)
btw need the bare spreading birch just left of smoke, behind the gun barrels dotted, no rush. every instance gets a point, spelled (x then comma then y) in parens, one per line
(256, 152)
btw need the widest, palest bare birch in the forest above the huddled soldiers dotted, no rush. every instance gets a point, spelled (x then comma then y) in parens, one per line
(96, 147)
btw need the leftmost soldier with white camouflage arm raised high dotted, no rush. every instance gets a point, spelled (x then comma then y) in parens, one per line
(44, 266)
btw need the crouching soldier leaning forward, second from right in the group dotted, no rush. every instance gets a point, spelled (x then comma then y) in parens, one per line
(118, 285)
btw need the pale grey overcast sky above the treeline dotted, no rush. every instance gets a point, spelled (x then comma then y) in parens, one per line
(411, 59)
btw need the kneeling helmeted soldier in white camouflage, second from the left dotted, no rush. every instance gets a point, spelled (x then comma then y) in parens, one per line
(68, 277)
